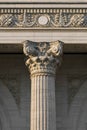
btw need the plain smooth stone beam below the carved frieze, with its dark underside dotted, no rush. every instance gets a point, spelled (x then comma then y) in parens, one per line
(75, 40)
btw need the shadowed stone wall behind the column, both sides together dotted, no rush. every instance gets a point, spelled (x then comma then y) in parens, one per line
(71, 89)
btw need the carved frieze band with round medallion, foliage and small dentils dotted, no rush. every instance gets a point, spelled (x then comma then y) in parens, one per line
(43, 18)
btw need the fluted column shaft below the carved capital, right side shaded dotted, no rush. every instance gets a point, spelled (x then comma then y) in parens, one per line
(43, 113)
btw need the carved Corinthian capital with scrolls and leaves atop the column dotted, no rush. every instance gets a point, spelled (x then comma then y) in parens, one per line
(43, 57)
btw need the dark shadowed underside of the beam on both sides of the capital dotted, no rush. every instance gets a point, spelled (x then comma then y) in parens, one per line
(18, 48)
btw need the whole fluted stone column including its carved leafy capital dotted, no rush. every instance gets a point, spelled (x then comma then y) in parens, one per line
(42, 60)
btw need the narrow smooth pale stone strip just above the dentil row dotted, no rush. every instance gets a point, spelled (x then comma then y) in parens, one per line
(53, 5)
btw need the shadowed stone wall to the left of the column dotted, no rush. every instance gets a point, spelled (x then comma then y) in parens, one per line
(14, 93)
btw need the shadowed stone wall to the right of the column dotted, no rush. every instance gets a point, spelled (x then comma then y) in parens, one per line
(71, 93)
